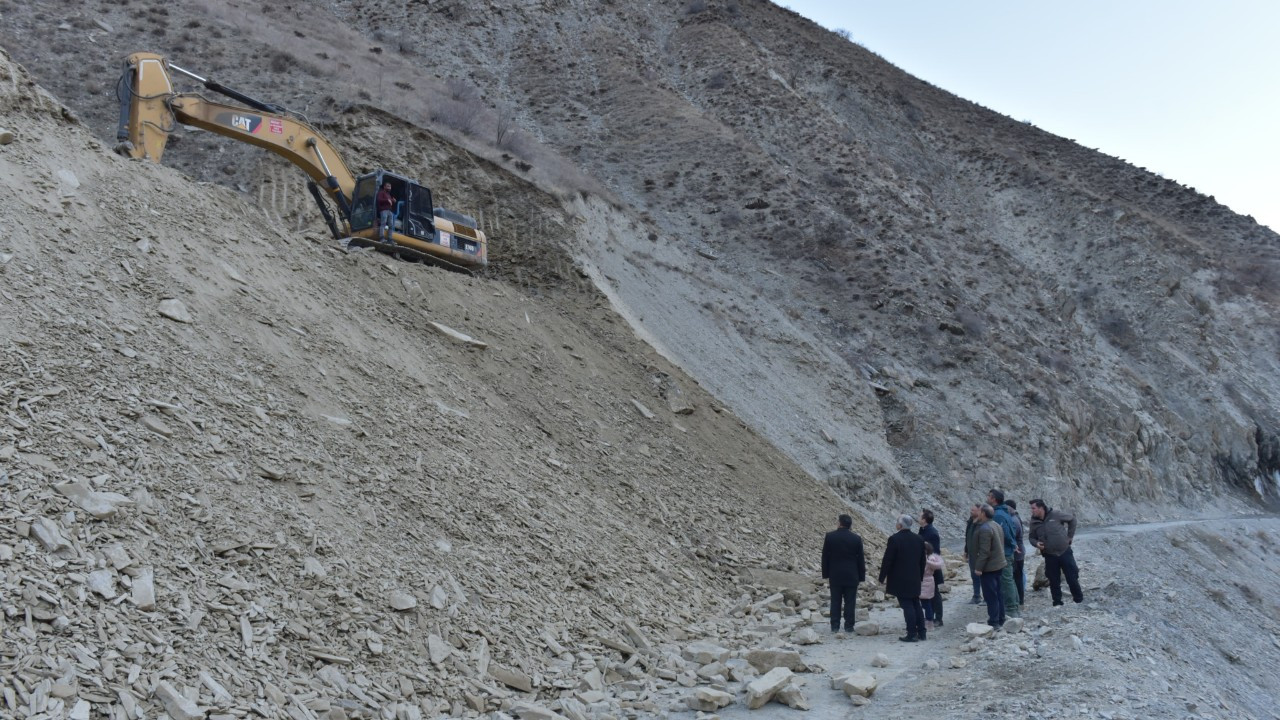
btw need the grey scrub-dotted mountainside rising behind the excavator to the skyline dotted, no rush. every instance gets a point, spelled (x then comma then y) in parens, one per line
(838, 250)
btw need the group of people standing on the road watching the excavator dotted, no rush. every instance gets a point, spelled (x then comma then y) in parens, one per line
(912, 569)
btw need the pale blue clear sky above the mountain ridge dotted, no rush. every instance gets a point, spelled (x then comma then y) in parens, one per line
(1187, 89)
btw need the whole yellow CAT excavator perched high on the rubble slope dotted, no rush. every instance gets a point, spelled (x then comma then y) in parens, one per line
(414, 229)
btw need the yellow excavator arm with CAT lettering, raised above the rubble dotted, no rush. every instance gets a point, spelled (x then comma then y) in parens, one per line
(150, 111)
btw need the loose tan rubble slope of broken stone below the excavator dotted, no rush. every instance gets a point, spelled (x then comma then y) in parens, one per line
(330, 500)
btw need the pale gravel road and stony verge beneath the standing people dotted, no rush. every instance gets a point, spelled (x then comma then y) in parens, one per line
(1118, 655)
